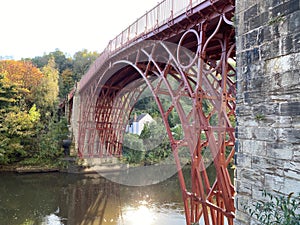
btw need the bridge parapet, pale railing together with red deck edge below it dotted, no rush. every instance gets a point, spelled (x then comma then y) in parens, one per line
(152, 22)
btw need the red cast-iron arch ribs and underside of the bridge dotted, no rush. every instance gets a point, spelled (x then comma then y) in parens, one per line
(192, 60)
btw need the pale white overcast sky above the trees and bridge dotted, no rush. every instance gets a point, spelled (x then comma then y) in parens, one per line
(30, 28)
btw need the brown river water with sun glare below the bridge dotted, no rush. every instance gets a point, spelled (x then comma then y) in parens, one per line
(58, 198)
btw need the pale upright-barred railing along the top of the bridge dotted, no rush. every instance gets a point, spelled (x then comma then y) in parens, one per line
(161, 14)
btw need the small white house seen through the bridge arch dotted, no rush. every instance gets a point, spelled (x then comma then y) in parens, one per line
(136, 125)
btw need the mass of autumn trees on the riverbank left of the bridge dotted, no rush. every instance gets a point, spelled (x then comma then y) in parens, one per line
(31, 125)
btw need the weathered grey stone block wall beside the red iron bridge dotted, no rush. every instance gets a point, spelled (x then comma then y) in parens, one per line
(268, 100)
